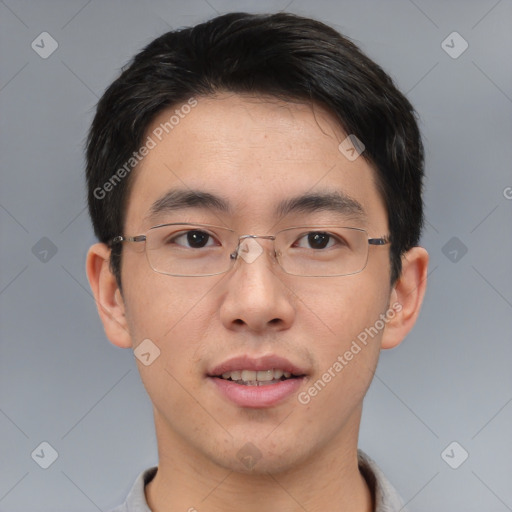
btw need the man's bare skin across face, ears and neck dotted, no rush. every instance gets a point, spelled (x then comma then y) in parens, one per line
(255, 152)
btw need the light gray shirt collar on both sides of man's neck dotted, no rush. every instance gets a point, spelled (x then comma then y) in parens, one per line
(385, 496)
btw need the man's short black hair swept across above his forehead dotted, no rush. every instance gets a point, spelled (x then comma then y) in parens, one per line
(281, 55)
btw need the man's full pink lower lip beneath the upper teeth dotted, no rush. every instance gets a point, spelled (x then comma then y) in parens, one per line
(257, 396)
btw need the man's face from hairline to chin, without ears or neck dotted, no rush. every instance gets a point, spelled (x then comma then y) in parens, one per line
(254, 155)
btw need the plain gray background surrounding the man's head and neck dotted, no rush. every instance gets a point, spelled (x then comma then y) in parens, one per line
(62, 382)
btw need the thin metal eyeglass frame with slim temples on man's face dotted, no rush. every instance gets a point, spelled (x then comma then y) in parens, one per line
(380, 241)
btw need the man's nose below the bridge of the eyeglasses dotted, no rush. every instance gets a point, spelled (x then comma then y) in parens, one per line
(256, 299)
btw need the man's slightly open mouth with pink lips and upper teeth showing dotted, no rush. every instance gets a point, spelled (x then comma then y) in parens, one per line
(257, 382)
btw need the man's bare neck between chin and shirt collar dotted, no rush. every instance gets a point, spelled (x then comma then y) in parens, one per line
(188, 481)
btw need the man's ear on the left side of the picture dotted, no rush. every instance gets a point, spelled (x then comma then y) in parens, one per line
(107, 294)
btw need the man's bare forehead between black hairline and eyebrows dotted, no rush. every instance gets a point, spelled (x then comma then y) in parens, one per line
(255, 153)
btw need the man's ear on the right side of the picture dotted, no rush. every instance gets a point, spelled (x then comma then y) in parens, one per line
(406, 297)
